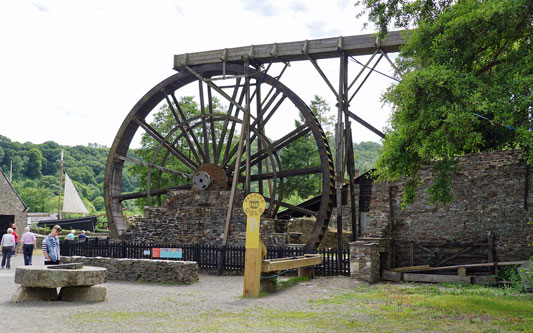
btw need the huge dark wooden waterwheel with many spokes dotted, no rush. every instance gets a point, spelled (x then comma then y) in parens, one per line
(205, 144)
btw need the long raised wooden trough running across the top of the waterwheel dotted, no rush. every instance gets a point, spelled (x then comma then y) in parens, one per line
(293, 51)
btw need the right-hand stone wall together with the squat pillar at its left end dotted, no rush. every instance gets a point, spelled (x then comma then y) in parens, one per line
(489, 219)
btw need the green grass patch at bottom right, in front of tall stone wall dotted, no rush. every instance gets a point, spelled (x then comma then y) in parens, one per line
(417, 307)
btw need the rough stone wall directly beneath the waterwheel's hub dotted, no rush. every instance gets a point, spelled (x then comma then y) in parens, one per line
(199, 217)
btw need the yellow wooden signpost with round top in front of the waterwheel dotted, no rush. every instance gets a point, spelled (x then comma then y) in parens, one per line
(253, 206)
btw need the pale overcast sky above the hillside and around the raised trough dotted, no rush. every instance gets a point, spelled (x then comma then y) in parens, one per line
(70, 71)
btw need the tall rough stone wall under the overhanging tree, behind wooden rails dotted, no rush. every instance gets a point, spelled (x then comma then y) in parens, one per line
(491, 195)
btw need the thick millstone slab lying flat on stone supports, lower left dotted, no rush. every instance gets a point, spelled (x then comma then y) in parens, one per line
(42, 277)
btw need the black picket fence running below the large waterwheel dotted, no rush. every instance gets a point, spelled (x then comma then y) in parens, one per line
(206, 256)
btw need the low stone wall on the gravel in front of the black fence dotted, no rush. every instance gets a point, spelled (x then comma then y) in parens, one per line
(145, 270)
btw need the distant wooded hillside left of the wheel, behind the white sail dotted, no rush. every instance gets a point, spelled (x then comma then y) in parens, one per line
(35, 170)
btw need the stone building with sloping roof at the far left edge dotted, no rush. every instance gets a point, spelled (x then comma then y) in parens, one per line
(12, 208)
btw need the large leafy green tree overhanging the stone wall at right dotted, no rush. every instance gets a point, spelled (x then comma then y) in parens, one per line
(467, 87)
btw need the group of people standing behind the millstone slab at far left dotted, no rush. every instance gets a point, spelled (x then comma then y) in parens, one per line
(50, 245)
